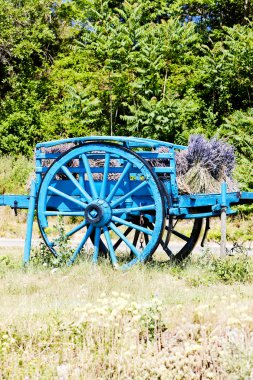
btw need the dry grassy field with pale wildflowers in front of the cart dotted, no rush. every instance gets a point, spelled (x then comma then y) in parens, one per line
(152, 322)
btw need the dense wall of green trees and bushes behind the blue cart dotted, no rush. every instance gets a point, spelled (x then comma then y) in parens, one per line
(153, 69)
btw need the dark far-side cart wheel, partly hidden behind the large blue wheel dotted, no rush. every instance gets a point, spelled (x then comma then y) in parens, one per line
(178, 240)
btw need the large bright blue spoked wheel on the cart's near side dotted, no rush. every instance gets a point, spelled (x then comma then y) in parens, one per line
(101, 191)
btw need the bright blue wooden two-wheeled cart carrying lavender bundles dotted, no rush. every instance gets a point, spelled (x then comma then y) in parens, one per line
(115, 198)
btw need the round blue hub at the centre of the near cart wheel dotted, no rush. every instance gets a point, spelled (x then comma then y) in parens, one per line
(98, 213)
